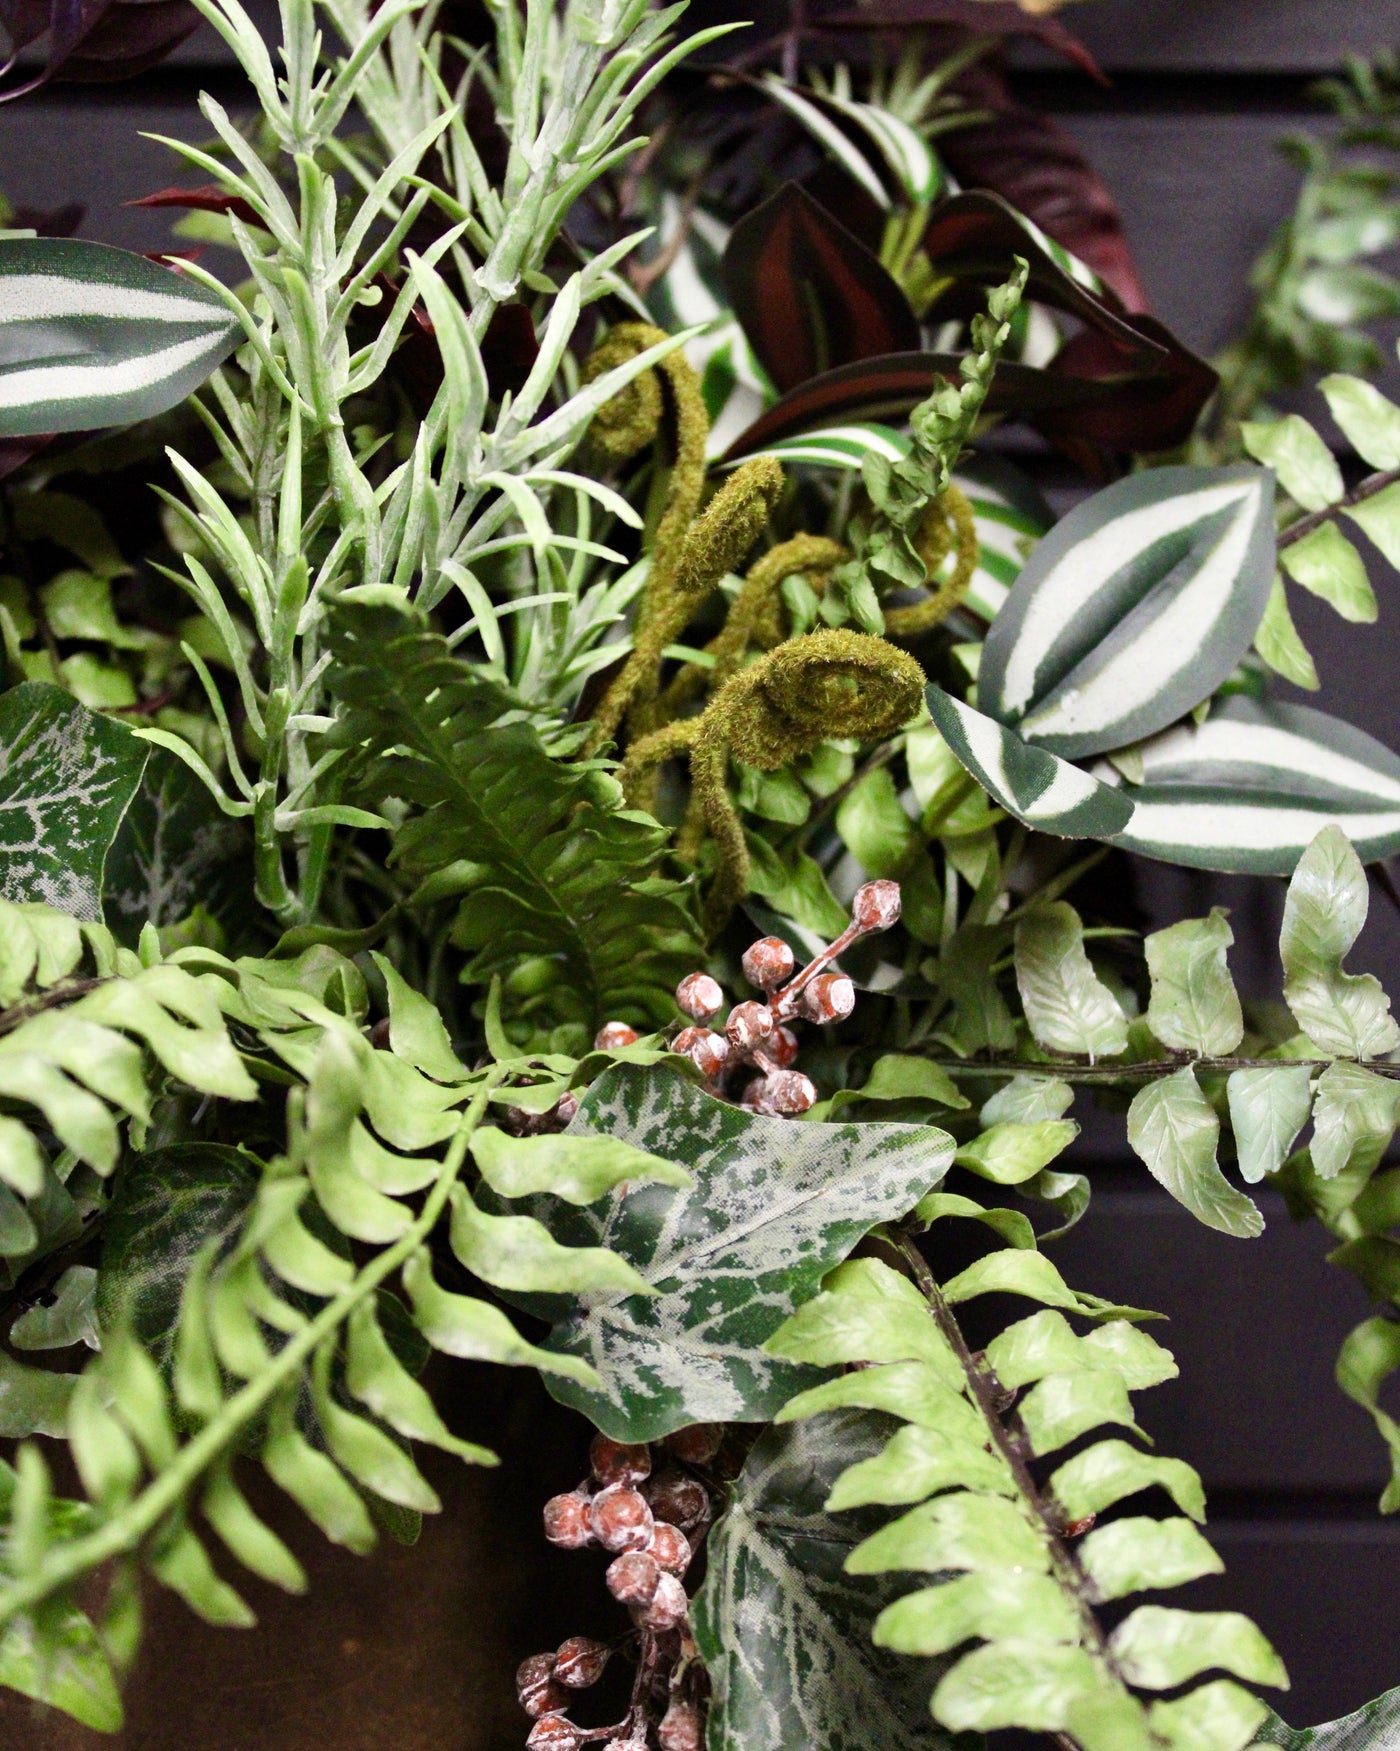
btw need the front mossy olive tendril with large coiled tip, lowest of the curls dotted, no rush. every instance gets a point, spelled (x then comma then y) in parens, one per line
(783, 707)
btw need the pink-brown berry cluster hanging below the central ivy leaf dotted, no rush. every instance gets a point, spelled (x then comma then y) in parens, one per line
(650, 1522)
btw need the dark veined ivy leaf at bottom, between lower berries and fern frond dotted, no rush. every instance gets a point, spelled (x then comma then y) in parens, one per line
(785, 1631)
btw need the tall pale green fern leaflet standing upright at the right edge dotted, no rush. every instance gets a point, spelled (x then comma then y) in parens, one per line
(1343, 1015)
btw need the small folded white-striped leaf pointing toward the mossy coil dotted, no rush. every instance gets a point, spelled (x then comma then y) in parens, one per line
(1033, 785)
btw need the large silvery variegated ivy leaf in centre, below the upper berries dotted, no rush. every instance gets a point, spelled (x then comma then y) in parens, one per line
(771, 1209)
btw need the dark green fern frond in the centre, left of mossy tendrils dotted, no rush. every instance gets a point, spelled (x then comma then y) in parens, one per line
(557, 866)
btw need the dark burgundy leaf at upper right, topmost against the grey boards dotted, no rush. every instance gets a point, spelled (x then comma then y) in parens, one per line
(1039, 169)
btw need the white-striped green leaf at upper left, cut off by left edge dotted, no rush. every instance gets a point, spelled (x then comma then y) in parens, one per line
(94, 335)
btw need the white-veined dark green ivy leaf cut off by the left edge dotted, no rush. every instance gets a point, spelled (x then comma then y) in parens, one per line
(67, 778)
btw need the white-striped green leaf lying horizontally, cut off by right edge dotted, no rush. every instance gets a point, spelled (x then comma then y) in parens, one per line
(1254, 785)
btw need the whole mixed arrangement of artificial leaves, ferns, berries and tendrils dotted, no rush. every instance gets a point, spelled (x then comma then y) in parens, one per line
(568, 833)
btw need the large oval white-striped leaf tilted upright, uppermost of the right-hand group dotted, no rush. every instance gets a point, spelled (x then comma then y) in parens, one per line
(1133, 610)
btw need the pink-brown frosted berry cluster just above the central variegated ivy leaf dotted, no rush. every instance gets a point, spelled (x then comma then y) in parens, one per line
(752, 1058)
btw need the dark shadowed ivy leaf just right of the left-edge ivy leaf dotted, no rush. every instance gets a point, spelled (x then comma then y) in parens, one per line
(178, 850)
